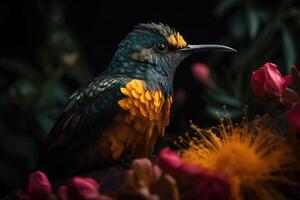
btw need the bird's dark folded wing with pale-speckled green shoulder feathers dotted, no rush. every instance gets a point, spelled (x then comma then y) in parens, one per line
(88, 112)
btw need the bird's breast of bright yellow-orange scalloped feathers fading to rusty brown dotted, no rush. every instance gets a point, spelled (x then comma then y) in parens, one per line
(144, 118)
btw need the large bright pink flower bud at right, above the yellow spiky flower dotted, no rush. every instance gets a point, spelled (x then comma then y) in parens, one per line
(268, 83)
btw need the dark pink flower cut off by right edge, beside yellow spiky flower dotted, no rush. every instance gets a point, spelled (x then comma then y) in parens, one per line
(294, 118)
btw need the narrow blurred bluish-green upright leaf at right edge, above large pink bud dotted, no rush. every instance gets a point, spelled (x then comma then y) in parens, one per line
(289, 49)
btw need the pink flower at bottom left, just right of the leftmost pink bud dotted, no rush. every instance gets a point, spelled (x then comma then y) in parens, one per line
(80, 188)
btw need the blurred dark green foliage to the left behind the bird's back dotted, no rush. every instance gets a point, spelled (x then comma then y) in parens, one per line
(32, 97)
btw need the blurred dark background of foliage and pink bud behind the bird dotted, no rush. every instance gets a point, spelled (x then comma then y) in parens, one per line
(48, 49)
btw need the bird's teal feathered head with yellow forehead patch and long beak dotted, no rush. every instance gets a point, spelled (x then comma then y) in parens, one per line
(153, 51)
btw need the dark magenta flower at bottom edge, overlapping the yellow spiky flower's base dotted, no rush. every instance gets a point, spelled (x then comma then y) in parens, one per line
(214, 186)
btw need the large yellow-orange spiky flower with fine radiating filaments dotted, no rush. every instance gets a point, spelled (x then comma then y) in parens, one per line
(255, 159)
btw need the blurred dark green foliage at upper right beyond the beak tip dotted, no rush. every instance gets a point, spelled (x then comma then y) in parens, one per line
(261, 31)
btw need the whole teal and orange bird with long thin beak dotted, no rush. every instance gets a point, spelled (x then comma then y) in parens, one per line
(124, 110)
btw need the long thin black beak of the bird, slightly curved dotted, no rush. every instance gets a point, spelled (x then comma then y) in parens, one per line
(207, 47)
